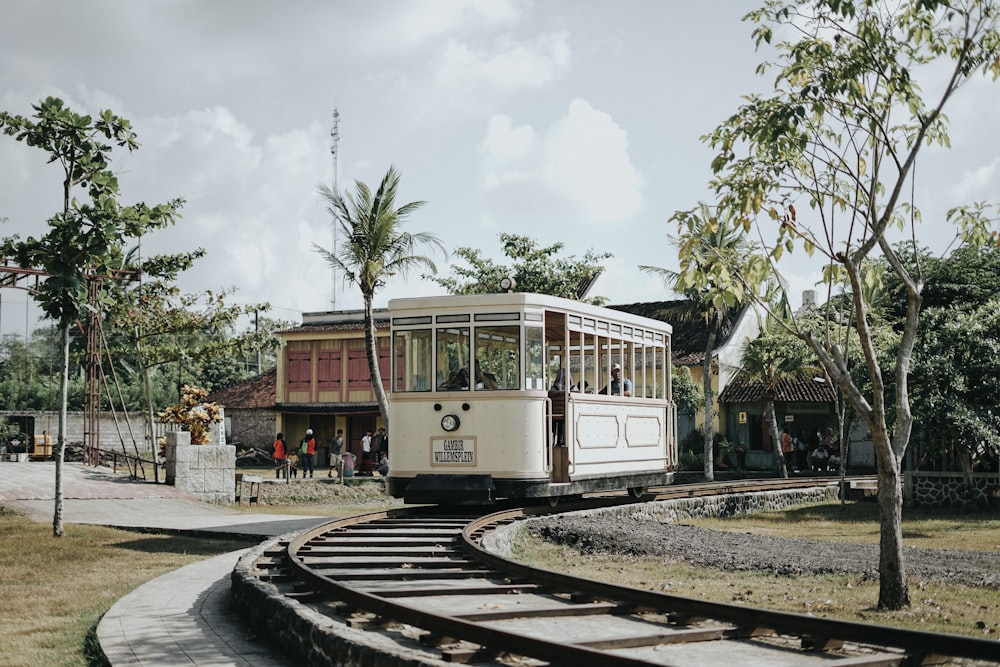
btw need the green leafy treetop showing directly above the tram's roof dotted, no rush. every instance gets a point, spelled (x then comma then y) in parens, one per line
(535, 269)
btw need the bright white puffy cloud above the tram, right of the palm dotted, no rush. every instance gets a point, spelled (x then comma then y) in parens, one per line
(582, 160)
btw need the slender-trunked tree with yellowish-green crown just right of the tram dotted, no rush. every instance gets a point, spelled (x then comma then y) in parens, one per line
(708, 244)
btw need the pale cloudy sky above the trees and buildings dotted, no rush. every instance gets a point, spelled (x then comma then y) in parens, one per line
(569, 121)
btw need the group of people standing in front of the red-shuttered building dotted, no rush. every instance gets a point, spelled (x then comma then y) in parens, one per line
(374, 455)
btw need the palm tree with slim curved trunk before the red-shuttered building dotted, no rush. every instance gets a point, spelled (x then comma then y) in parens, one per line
(375, 250)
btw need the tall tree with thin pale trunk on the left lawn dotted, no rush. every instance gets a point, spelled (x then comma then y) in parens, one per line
(83, 248)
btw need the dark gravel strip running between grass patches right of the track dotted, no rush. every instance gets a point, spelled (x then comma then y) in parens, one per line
(744, 551)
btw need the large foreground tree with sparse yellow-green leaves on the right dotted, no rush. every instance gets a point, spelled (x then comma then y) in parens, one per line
(839, 137)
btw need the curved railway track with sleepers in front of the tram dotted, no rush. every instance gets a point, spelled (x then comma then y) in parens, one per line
(424, 576)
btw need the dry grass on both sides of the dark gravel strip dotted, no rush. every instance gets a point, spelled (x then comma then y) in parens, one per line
(935, 606)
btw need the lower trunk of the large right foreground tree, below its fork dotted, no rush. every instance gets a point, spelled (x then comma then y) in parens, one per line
(893, 592)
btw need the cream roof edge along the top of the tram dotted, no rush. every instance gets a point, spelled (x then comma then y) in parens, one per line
(520, 301)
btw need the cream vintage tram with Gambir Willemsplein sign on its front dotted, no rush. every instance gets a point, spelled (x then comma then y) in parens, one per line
(514, 396)
